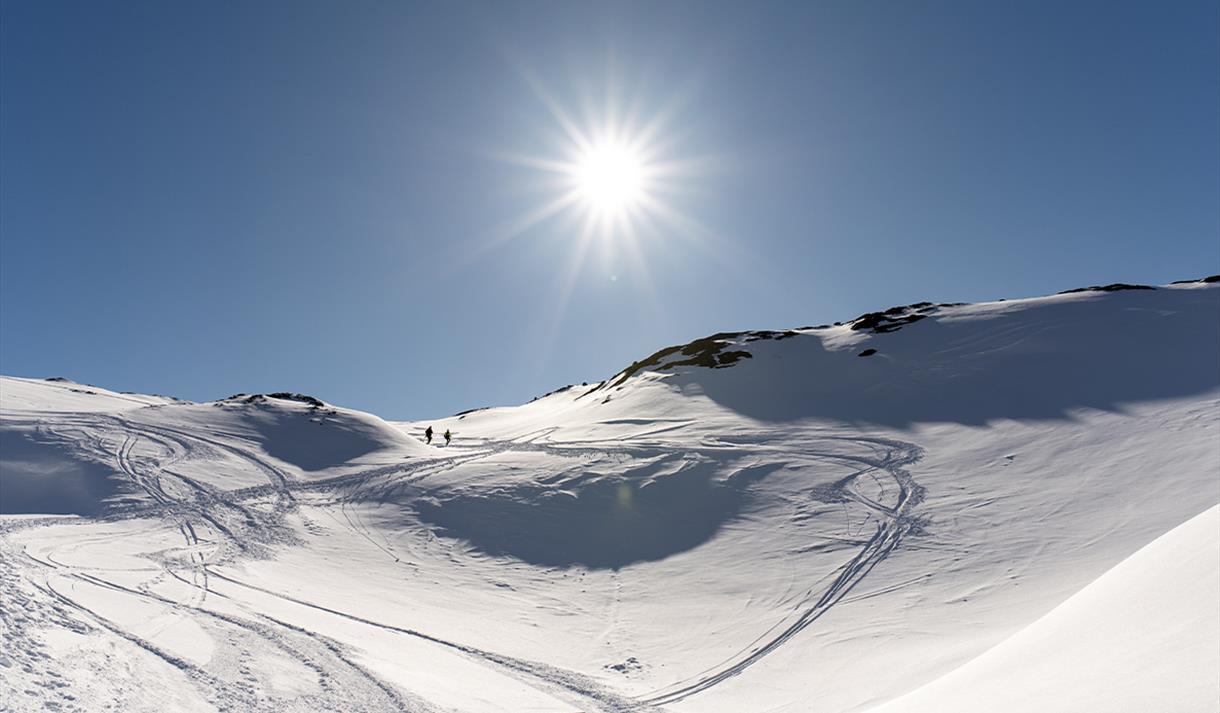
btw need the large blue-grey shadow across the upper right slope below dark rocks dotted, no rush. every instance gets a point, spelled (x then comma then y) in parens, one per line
(1038, 362)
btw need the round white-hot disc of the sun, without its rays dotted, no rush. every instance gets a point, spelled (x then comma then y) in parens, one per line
(611, 178)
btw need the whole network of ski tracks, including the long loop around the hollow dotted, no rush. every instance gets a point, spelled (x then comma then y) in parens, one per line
(146, 455)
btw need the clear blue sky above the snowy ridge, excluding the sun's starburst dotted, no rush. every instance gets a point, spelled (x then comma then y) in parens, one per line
(208, 198)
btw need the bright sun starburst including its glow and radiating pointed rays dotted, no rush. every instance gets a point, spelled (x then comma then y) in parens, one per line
(613, 178)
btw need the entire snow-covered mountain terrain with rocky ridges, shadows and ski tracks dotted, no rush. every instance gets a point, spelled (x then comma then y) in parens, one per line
(1007, 506)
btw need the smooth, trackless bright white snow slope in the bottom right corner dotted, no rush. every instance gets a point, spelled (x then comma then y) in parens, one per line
(1154, 618)
